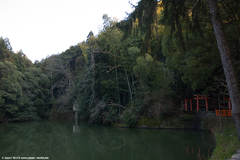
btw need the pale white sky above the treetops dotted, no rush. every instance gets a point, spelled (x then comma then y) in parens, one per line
(41, 28)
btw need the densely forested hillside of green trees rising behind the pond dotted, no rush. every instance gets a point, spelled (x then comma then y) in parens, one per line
(143, 65)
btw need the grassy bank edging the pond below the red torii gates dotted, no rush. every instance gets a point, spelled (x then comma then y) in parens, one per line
(223, 129)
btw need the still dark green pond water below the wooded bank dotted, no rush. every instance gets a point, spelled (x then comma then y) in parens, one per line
(63, 141)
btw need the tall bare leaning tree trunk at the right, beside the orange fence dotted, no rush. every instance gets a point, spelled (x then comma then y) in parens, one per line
(231, 77)
